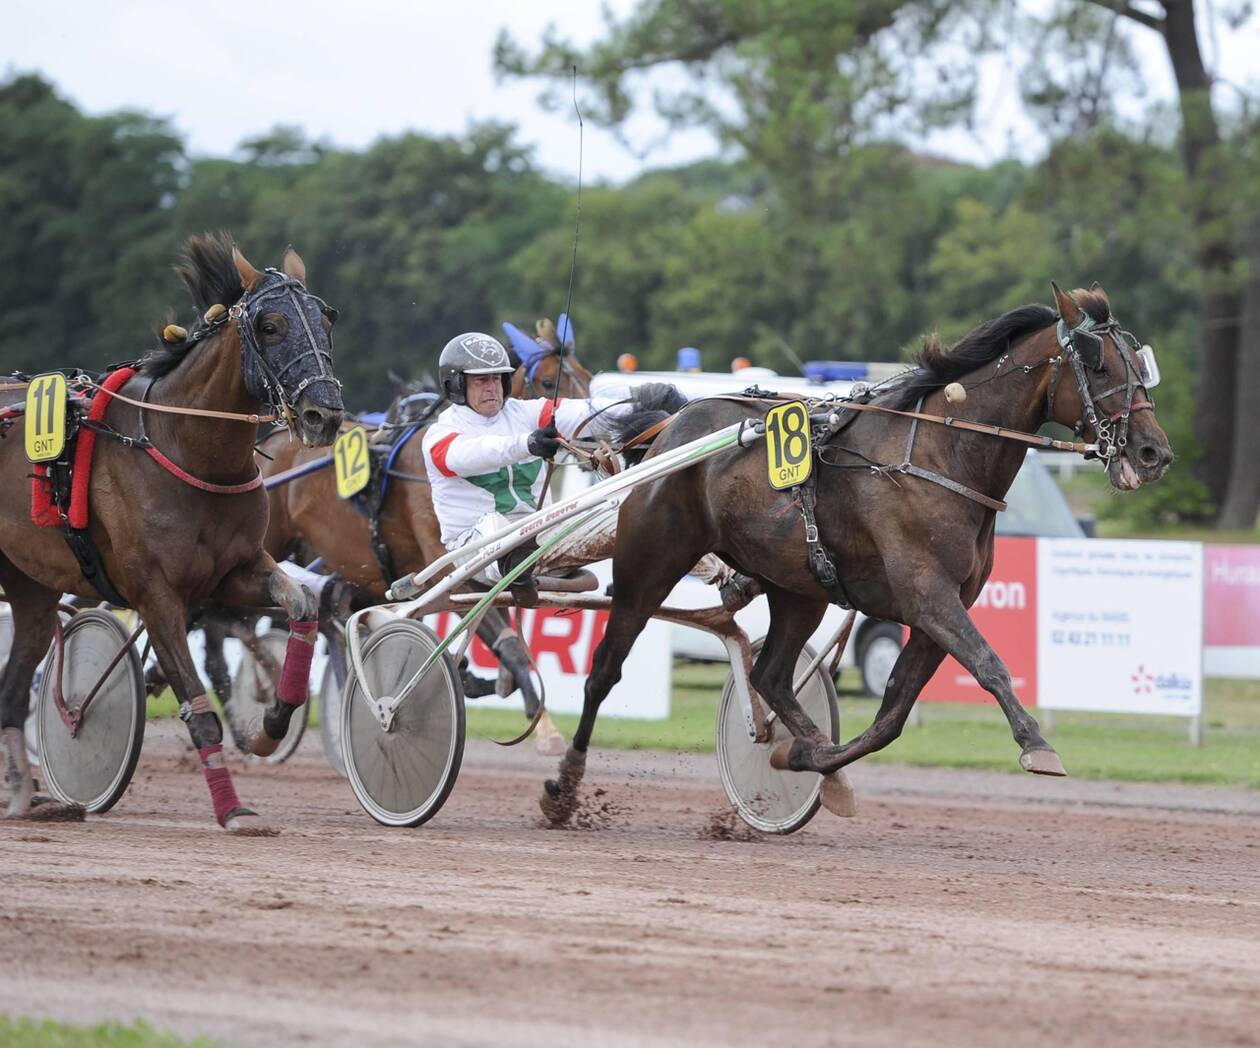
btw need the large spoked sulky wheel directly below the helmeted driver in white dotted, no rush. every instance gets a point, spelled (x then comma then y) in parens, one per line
(403, 777)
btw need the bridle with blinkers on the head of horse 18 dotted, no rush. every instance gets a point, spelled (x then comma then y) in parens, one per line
(1082, 346)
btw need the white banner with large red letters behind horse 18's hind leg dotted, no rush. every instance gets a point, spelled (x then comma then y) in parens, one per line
(564, 646)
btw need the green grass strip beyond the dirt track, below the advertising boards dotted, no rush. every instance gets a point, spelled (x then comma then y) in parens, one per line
(1093, 745)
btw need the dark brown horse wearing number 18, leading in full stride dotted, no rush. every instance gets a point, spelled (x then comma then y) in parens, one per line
(909, 549)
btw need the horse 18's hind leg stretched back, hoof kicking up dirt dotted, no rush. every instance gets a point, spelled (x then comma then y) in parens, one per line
(641, 583)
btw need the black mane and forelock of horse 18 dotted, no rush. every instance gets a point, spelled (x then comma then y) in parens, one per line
(937, 367)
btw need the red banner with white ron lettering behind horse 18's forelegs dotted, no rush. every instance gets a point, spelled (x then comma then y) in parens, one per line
(1006, 614)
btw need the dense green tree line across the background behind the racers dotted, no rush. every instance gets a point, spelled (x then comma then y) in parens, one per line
(813, 242)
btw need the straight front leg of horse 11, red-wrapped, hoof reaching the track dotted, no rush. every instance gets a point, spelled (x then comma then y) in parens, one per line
(167, 620)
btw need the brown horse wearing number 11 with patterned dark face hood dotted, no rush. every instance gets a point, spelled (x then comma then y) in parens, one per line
(167, 538)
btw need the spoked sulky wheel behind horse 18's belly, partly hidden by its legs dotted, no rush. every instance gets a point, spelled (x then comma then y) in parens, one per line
(769, 800)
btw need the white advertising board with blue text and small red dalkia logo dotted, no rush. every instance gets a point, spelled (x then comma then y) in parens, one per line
(1121, 627)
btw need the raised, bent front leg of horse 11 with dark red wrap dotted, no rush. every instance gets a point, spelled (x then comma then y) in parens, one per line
(261, 584)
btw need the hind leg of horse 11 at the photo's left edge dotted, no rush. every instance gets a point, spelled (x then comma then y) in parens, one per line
(35, 617)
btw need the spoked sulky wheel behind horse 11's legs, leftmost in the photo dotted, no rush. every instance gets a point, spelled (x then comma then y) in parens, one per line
(93, 766)
